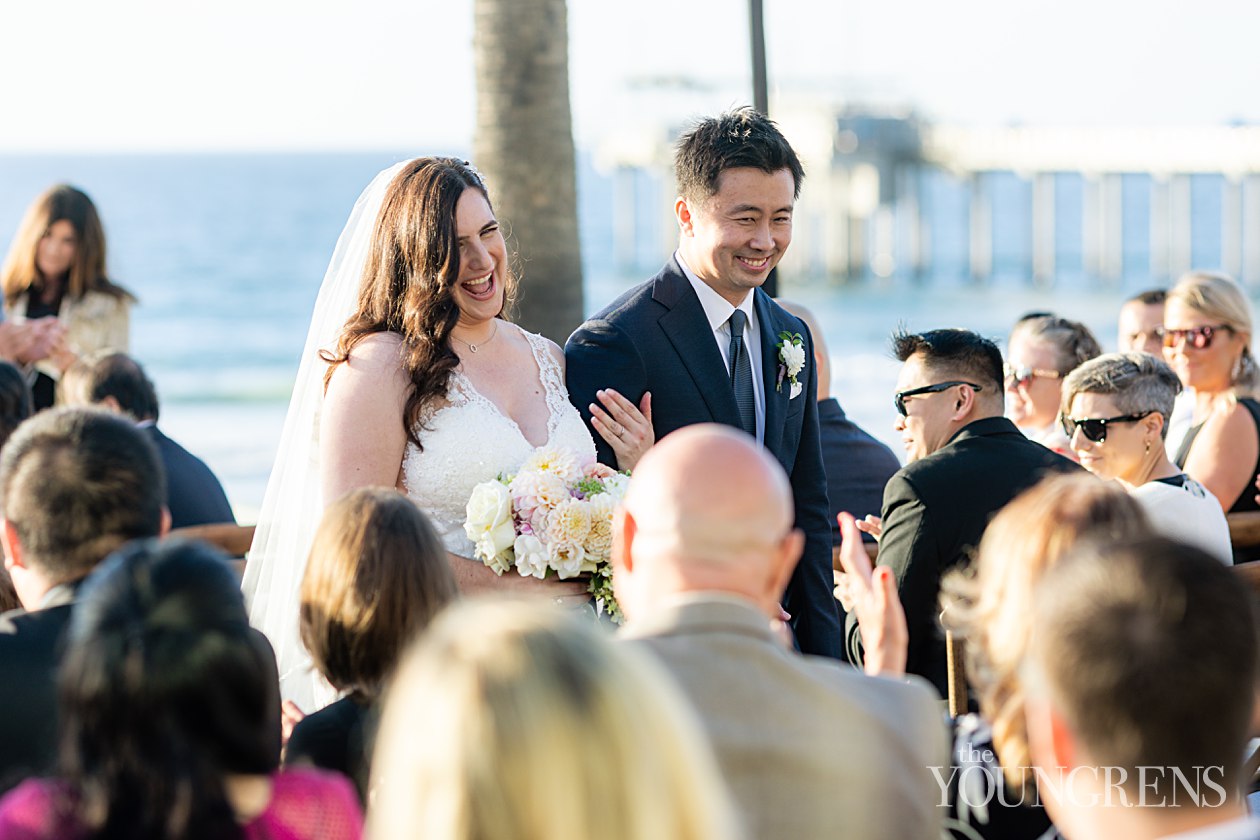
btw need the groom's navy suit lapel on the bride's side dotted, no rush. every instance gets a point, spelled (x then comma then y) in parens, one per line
(689, 331)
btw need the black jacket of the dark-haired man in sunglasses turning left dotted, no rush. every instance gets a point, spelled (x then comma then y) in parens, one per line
(936, 512)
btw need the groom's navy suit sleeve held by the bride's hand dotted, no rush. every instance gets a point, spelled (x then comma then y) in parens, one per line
(602, 356)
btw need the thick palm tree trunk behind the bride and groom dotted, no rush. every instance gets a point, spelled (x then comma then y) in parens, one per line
(525, 147)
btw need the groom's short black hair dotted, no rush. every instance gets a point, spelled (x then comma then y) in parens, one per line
(740, 138)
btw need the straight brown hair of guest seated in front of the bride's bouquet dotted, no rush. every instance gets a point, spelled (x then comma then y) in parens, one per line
(376, 577)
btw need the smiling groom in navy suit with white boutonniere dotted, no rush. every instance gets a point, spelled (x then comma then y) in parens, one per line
(713, 347)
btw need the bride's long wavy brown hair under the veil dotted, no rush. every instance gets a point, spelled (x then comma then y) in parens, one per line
(408, 284)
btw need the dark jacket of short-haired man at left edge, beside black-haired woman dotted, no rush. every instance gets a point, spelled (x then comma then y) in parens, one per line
(31, 650)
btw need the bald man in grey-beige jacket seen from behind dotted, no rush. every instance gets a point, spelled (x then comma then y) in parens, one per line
(810, 747)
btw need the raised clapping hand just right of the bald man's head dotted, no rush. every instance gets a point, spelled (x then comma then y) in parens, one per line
(874, 601)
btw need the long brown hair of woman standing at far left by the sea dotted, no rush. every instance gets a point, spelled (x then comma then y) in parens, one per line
(21, 274)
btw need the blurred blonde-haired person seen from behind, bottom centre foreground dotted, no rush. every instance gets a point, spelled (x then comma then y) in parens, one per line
(513, 722)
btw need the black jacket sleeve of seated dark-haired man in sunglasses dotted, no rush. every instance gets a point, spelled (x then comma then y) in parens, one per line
(909, 548)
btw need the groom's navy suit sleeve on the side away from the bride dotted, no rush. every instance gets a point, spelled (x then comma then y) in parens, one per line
(810, 598)
